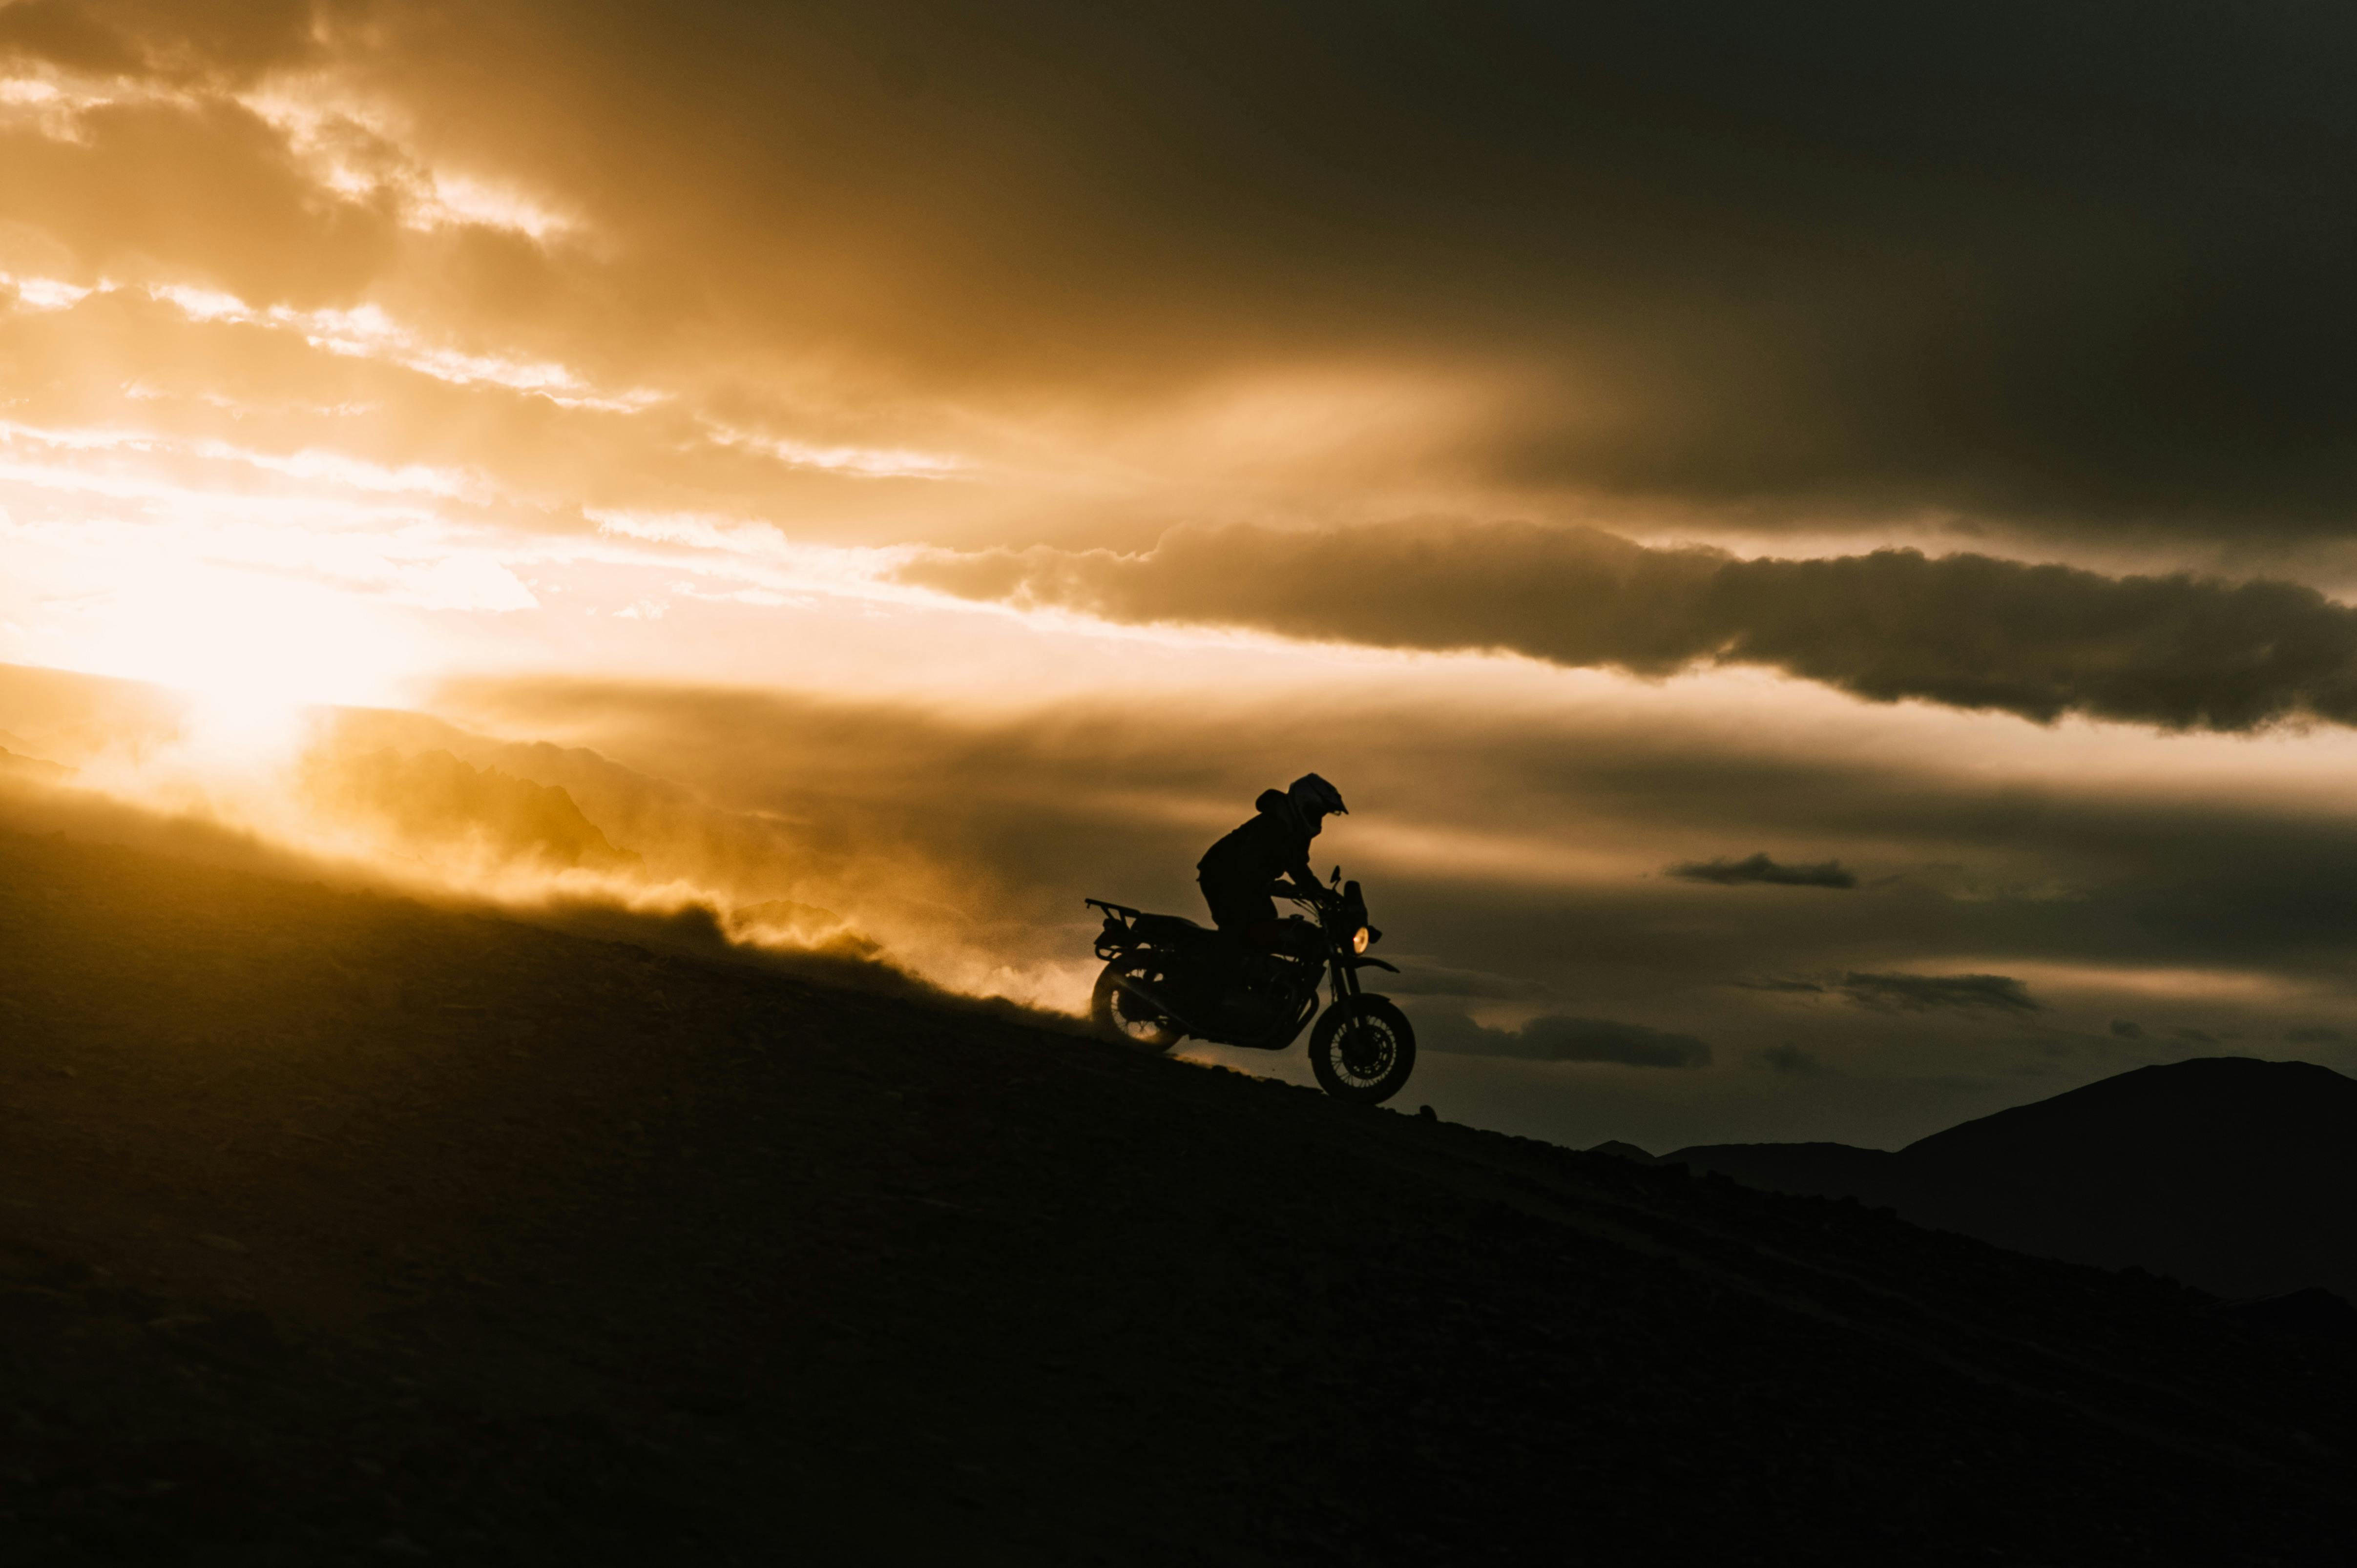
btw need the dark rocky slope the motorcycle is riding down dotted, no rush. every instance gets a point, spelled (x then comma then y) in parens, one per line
(343, 1230)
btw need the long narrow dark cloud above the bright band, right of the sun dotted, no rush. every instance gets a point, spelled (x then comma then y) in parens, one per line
(1965, 631)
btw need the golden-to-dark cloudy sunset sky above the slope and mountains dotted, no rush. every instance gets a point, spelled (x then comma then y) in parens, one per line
(1816, 541)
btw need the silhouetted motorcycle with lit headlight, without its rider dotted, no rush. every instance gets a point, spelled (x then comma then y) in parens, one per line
(1168, 980)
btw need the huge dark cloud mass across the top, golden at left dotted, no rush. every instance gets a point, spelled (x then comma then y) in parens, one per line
(1696, 258)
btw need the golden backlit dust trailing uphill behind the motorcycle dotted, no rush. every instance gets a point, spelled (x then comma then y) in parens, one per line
(414, 805)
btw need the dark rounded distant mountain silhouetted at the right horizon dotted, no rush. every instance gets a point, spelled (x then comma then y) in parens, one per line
(2226, 1173)
